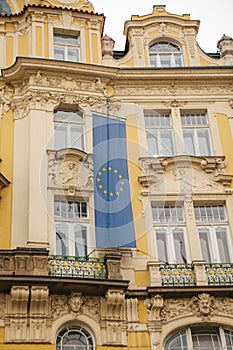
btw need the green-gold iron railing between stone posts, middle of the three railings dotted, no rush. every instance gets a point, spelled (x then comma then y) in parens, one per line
(177, 275)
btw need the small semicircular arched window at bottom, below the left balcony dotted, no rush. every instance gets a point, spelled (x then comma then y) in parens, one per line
(74, 337)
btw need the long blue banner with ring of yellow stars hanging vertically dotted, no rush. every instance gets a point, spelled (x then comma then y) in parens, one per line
(114, 225)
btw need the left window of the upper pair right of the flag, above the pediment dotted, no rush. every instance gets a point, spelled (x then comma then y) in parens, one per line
(159, 133)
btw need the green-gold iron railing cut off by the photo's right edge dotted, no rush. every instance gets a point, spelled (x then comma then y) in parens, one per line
(219, 274)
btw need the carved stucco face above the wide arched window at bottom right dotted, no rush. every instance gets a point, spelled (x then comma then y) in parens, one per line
(204, 305)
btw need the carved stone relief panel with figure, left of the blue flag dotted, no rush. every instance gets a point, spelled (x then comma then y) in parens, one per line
(70, 170)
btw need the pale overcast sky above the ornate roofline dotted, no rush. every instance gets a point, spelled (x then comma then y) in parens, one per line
(216, 17)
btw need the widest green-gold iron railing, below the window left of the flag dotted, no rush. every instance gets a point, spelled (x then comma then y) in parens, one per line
(66, 266)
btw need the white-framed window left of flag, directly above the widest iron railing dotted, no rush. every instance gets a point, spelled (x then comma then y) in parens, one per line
(71, 222)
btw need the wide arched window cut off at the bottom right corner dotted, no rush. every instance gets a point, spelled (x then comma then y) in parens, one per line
(204, 338)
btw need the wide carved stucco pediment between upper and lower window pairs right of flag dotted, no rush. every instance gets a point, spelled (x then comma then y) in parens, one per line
(184, 174)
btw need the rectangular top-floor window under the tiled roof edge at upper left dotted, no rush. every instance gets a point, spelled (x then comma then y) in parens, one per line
(66, 47)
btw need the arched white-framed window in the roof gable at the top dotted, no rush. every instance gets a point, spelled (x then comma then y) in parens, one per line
(165, 54)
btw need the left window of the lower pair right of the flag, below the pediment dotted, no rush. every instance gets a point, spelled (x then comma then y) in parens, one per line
(170, 233)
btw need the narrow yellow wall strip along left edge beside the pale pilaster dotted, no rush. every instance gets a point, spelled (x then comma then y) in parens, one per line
(6, 168)
